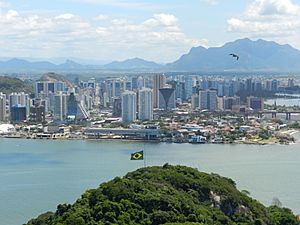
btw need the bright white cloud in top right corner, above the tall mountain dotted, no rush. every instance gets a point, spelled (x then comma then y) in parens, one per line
(268, 18)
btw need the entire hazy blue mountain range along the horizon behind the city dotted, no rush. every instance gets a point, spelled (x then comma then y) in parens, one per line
(254, 56)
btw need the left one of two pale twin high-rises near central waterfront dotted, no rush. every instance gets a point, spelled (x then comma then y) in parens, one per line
(129, 106)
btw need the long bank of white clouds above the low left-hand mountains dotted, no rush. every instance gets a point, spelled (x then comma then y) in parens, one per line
(158, 38)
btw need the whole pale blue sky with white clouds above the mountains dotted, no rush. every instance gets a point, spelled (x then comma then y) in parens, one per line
(155, 30)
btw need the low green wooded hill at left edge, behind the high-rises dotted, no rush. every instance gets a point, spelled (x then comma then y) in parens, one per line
(12, 84)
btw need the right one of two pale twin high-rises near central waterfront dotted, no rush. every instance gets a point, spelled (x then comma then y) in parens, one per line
(145, 104)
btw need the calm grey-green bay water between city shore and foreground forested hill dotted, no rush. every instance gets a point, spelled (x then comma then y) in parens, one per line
(36, 175)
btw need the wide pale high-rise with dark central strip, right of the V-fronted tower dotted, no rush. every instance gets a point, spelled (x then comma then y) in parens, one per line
(208, 100)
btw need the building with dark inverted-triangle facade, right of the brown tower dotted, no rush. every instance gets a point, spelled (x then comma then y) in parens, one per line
(167, 99)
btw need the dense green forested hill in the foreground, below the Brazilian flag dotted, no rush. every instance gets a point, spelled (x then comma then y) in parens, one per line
(166, 195)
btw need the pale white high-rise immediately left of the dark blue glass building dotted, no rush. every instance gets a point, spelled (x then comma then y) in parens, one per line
(60, 106)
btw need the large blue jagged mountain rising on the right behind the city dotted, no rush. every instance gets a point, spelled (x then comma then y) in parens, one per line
(255, 55)
